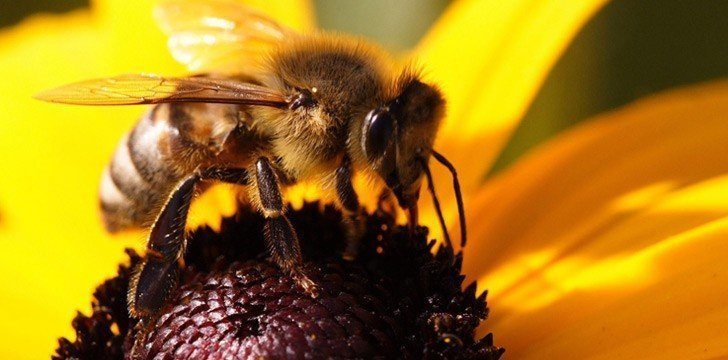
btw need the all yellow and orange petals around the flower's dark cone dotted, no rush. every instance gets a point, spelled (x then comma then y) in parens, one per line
(606, 242)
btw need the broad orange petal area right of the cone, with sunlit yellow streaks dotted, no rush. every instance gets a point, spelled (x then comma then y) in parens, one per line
(609, 242)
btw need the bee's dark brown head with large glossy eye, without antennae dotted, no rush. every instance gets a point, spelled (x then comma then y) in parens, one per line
(397, 137)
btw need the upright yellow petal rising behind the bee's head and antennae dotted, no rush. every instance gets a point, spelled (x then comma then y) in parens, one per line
(490, 57)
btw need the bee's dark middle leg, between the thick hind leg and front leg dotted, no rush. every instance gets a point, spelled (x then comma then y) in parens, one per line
(280, 236)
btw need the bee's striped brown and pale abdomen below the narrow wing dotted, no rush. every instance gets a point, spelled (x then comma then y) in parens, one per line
(167, 144)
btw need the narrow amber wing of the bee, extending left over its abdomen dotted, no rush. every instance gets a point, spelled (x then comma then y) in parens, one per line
(151, 89)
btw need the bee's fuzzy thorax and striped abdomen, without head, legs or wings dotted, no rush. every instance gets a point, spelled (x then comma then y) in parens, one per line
(174, 139)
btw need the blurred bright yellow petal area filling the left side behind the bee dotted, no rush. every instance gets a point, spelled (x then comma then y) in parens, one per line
(54, 250)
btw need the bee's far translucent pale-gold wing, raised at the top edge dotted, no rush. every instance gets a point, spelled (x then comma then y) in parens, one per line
(217, 35)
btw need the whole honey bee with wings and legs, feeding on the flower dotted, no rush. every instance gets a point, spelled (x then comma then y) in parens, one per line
(273, 107)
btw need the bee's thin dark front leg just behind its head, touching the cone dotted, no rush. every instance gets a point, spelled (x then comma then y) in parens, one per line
(353, 218)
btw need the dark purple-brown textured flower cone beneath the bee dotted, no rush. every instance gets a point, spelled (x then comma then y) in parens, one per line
(396, 300)
